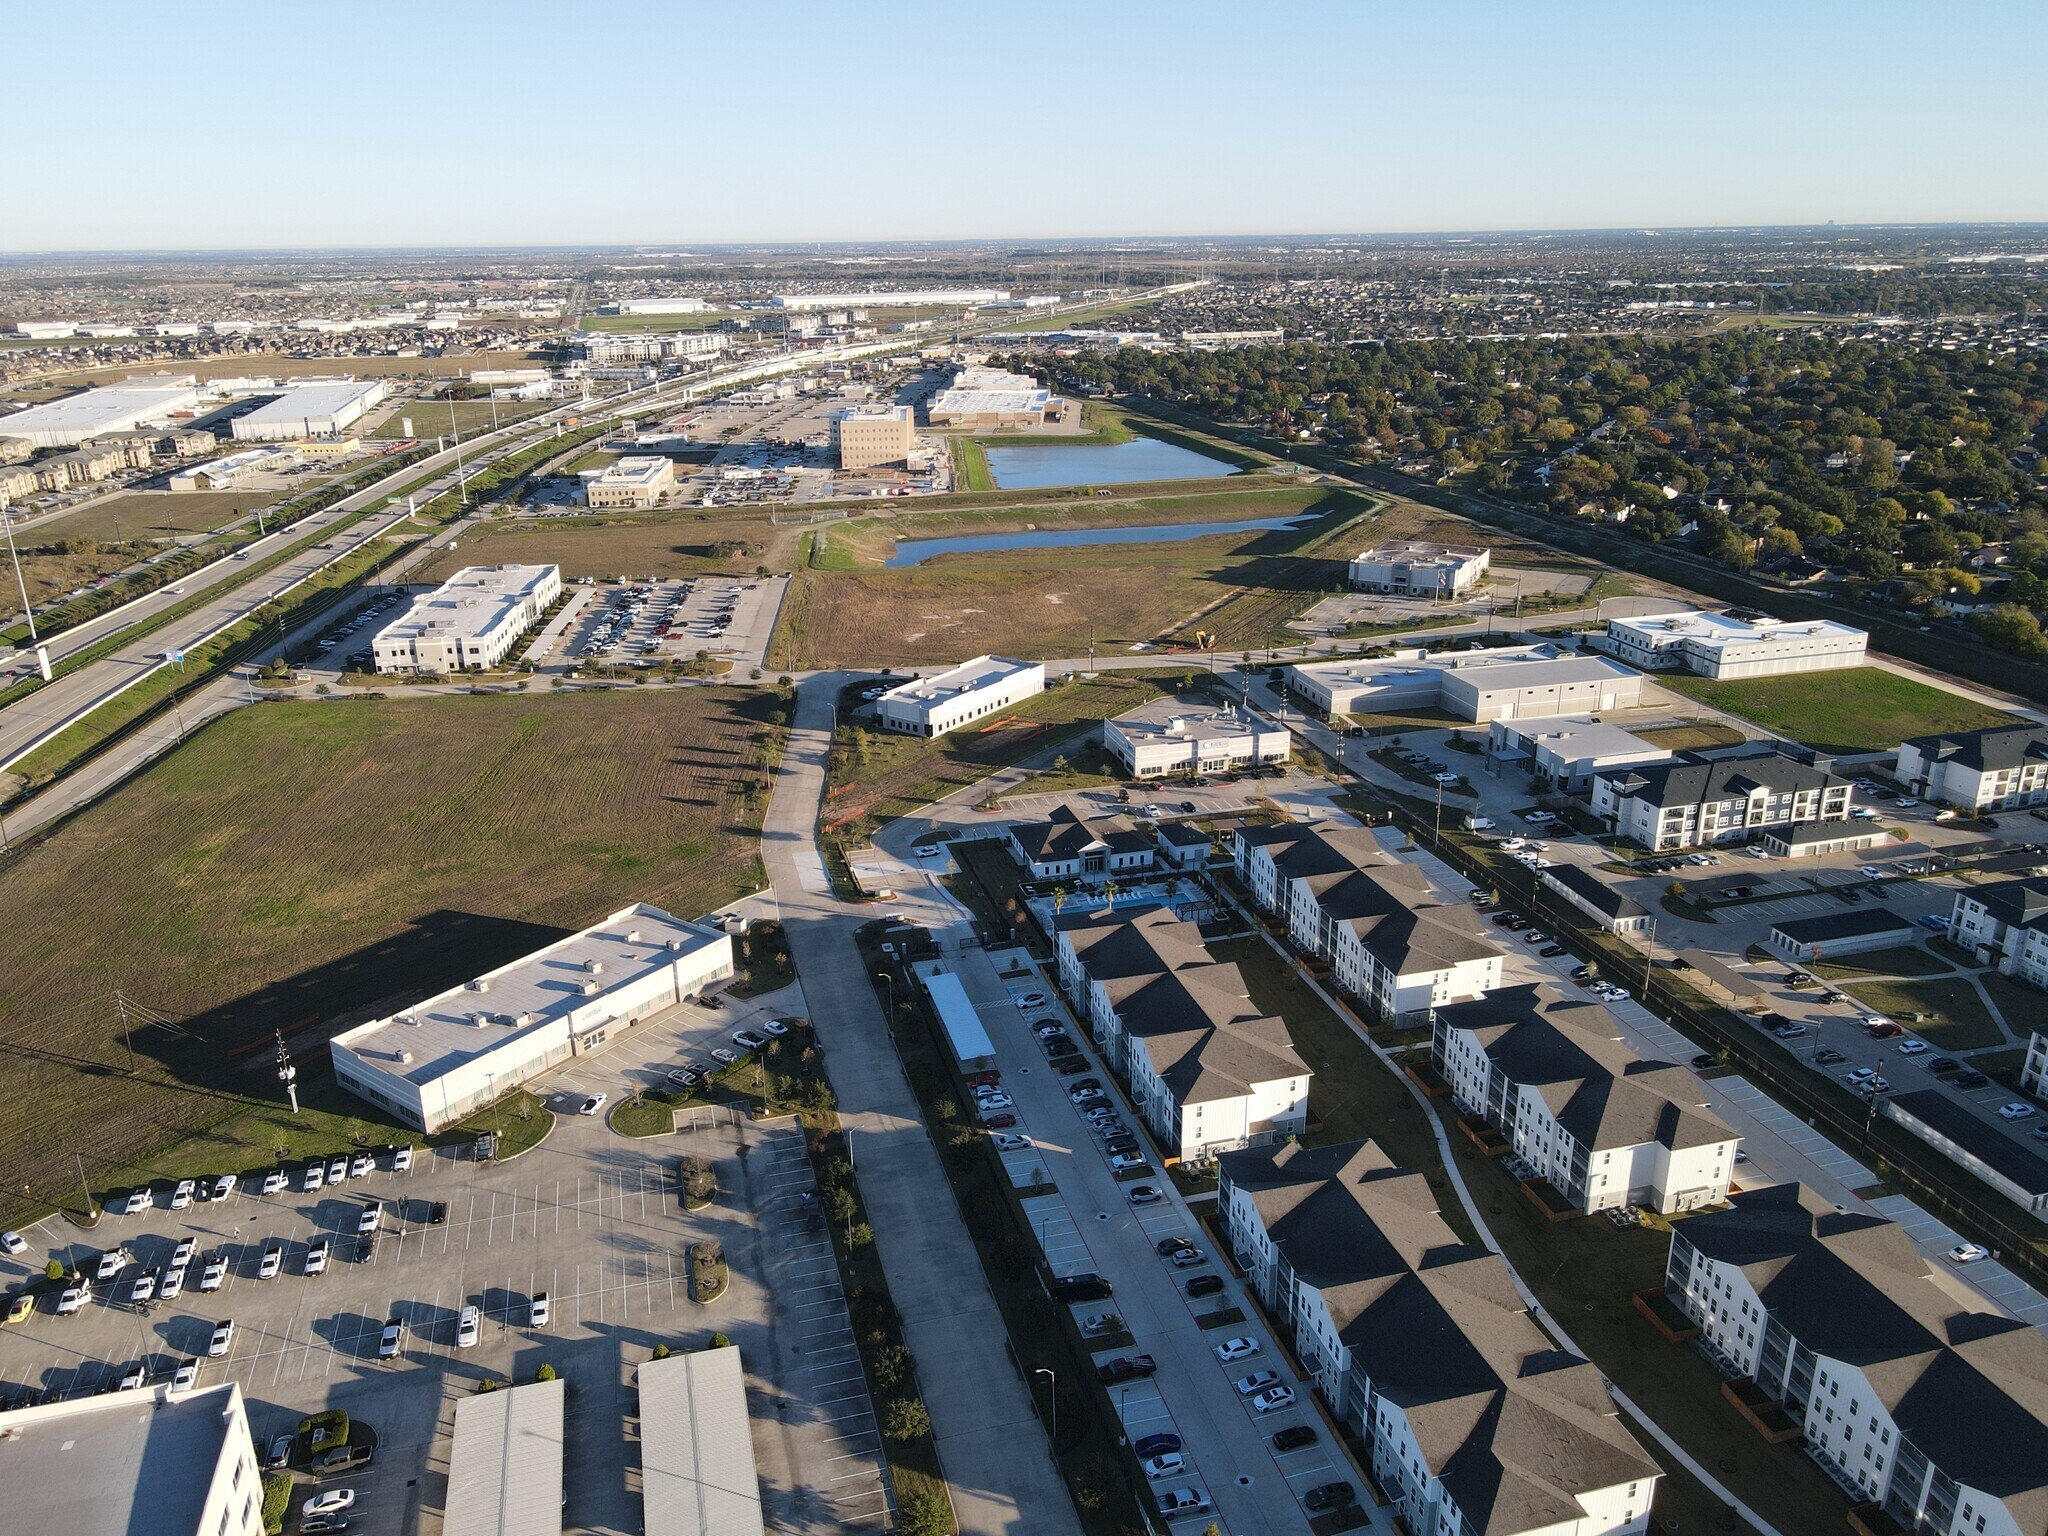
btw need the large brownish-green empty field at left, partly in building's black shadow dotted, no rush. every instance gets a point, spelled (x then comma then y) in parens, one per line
(298, 865)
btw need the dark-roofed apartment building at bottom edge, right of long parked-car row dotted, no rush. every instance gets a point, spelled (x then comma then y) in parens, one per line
(1422, 1347)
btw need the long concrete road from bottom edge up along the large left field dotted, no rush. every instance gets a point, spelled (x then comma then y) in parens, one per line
(990, 1441)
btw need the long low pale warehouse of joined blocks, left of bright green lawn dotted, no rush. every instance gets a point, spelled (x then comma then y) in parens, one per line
(1502, 683)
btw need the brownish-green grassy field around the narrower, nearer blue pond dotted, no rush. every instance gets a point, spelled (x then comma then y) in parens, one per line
(1058, 601)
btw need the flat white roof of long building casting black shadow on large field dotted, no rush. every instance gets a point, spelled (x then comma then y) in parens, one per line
(443, 1035)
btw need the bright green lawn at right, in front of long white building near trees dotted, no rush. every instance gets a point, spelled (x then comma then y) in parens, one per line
(1854, 710)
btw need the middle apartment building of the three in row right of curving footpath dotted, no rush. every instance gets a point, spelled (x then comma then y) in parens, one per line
(1601, 1123)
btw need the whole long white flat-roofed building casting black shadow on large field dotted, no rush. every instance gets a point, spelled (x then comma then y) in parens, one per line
(454, 1054)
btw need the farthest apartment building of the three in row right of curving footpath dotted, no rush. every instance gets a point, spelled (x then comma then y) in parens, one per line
(1385, 933)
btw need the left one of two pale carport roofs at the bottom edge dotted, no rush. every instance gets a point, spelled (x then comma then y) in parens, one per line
(505, 1467)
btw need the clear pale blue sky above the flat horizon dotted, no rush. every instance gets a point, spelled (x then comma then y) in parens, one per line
(466, 124)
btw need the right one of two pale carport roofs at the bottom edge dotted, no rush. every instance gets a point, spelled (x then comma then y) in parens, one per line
(697, 1447)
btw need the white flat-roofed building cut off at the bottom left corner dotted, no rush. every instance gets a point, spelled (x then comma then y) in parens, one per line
(140, 1461)
